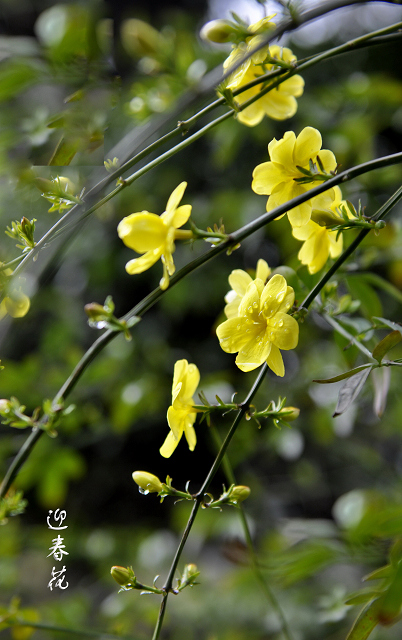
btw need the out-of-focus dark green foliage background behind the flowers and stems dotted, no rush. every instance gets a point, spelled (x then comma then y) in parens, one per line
(325, 507)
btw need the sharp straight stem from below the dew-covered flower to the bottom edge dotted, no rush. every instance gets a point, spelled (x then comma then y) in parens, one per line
(200, 496)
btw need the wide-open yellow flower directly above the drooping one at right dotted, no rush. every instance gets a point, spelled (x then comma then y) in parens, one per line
(278, 178)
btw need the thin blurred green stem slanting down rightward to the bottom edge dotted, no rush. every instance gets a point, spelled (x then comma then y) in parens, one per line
(227, 467)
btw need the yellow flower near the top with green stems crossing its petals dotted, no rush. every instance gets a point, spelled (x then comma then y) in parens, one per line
(279, 103)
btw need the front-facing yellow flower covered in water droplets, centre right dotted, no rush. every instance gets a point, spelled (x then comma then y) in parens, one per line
(262, 326)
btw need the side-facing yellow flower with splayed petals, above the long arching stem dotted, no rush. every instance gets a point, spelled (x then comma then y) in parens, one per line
(154, 235)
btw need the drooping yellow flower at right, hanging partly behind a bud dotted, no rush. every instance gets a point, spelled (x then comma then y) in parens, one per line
(319, 241)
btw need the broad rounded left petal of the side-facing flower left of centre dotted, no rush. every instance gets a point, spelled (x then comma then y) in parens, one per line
(142, 231)
